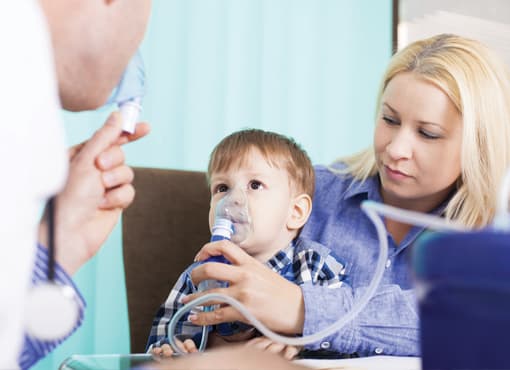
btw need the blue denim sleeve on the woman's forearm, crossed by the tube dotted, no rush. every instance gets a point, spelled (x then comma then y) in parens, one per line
(388, 325)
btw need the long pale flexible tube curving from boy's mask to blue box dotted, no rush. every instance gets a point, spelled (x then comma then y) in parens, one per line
(373, 210)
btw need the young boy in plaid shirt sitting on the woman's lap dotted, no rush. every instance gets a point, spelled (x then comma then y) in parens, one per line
(277, 180)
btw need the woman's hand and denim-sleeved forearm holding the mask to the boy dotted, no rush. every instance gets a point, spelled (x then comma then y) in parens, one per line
(388, 325)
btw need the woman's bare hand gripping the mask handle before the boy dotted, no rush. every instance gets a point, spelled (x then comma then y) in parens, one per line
(274, 300)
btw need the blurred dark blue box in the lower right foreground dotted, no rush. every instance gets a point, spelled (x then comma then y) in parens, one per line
(463, 287)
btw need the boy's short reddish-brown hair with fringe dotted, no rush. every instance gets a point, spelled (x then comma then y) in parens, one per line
(280, 151)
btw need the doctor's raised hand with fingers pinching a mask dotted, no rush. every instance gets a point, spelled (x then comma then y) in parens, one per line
(98, 188)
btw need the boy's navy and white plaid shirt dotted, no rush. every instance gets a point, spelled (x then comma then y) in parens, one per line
(302, 262)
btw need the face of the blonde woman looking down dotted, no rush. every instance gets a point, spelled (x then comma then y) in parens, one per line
(417, 143)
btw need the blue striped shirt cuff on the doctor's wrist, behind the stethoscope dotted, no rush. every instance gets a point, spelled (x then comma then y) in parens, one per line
(34, 349)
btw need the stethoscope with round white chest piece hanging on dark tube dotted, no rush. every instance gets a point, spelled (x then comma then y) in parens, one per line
(52, 309)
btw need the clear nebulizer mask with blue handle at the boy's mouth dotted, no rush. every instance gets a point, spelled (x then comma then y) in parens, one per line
(232, 222)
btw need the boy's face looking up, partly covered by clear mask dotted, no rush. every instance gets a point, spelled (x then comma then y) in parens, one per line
(269, 199)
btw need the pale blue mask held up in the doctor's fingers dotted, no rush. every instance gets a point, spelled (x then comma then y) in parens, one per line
(129, 93)
